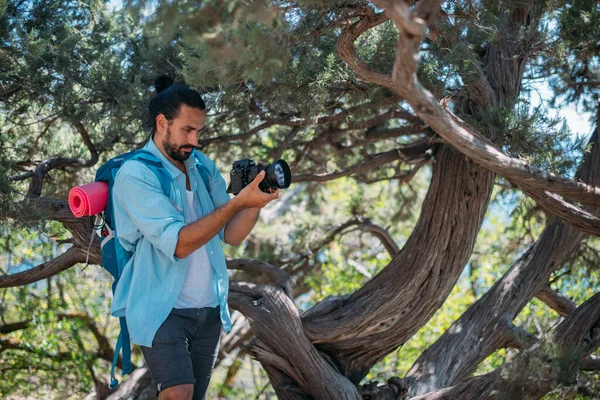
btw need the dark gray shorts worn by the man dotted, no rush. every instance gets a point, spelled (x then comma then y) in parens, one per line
(185, 348)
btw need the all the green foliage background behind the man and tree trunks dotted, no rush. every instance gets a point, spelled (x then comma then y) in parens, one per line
(63, 63)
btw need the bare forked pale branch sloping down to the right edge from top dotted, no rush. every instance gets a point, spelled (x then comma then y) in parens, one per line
(412, 26)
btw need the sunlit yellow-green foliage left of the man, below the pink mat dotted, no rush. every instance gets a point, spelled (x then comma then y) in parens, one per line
(55, 356)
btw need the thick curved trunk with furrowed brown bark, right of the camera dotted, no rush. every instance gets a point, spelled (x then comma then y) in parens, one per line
(397, 302)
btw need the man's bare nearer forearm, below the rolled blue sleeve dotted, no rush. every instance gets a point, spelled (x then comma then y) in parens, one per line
(198, 233)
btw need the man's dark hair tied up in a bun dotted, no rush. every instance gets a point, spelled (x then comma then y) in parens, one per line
(169, 98)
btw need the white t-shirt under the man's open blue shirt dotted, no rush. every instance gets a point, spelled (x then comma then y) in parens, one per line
(200, 286)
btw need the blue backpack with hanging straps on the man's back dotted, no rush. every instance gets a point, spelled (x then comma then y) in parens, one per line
(114, 256)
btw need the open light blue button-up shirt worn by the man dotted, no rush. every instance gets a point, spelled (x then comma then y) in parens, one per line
(148, 224)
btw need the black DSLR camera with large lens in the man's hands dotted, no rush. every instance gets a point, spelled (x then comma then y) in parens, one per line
(278, 175)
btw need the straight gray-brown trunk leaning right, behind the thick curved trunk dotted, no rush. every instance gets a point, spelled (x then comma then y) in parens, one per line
(487, 325)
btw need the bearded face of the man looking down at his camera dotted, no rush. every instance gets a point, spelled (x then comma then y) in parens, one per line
(181, 136)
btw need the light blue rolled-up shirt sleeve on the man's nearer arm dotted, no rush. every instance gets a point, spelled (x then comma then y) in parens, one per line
(138, 193)
